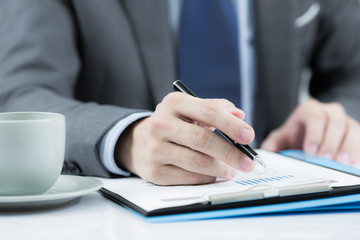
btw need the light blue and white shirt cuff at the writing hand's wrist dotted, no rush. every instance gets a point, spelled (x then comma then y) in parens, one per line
(107, 147)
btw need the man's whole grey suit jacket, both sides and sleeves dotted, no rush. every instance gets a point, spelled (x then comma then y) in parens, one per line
(99, 61)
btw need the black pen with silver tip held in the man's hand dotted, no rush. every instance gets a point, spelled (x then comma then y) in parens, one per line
(181, 87)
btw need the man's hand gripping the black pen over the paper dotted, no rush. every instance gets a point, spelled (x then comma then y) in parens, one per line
(176, 145)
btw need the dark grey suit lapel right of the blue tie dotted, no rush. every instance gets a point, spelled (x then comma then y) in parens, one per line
(276, 64)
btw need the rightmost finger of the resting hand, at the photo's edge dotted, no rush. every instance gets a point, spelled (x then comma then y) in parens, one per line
(349, 151)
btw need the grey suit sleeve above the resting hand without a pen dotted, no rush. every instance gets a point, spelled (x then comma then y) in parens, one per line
(335, 63)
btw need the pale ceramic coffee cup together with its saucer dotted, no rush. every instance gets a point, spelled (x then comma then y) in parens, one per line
(32, 149)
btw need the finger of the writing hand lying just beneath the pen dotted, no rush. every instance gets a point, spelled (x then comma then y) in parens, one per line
(209, 143)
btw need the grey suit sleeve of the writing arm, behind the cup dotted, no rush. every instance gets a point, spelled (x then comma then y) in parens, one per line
(39, 64)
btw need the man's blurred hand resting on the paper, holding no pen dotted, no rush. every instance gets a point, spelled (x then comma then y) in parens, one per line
(319, 128)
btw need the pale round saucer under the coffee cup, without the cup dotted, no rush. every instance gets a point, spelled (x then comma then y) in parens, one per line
(64, 190)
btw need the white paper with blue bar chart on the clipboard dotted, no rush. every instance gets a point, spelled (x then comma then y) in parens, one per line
(283, 178)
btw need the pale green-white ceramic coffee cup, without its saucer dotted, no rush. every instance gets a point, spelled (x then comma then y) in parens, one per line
(32, 148)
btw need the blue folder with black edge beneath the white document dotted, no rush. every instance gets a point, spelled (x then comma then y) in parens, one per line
(345, 198)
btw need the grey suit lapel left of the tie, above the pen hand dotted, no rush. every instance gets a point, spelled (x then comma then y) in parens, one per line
(150, 27)
